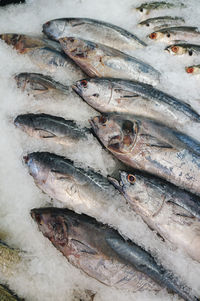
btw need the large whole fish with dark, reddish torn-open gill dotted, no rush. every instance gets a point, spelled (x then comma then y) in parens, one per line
(151, 147)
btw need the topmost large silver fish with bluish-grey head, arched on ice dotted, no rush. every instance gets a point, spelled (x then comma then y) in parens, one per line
(93, 30)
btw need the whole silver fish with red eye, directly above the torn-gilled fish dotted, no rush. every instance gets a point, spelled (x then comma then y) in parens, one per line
(122, 96)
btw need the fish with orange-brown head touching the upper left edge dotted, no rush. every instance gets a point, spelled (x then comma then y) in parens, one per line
(45, 53)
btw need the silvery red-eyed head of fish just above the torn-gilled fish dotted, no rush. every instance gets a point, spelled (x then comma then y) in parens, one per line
(96, 92)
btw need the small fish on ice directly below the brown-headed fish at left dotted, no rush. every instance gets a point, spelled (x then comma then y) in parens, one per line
(40, 86)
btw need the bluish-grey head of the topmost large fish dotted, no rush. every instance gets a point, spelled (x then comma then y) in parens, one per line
(54, 29)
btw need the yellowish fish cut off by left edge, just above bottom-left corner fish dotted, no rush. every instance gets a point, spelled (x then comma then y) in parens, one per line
(9, 258)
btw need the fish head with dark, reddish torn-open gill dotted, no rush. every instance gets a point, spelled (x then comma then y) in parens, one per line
(118, 135)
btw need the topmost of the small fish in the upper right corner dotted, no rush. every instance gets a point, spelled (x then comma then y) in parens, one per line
(147, 7)
